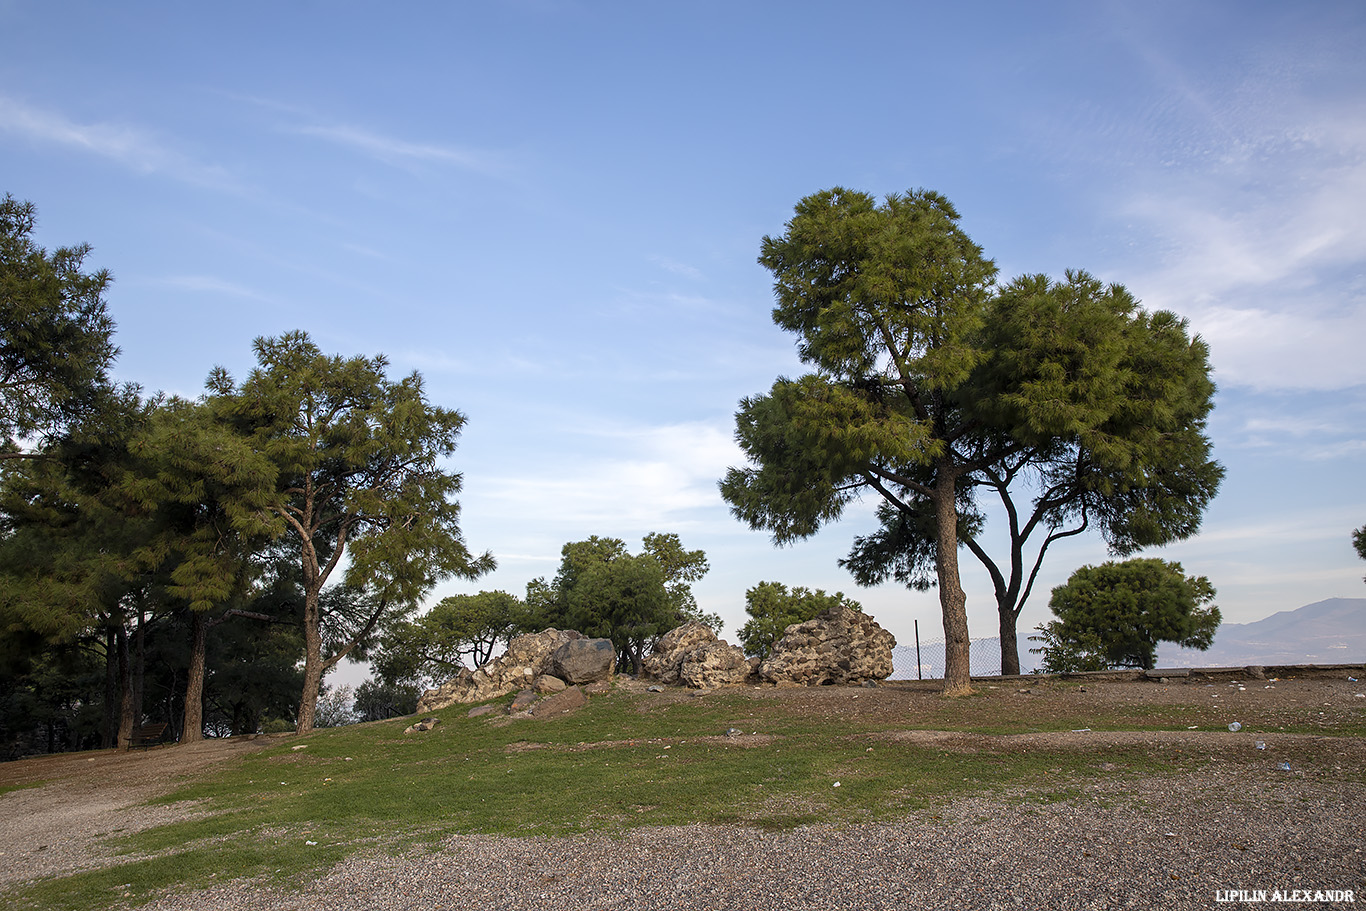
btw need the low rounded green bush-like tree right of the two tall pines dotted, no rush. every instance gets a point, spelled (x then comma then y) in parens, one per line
(1118, 613)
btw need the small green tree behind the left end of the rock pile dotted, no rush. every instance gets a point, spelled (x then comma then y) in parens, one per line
(458, 629)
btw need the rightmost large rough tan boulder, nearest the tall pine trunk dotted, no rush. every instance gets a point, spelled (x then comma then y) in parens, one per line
(838, 647)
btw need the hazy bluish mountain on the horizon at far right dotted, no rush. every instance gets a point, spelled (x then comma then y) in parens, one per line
(1330, 632)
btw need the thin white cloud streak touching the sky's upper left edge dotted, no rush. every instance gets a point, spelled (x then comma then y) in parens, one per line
(126, 145)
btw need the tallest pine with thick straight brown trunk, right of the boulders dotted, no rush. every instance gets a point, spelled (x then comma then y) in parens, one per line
(889, 303)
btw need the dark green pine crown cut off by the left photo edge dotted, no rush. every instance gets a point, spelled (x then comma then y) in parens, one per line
(55, 334)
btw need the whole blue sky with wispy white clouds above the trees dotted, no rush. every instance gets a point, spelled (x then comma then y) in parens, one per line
(553, 211)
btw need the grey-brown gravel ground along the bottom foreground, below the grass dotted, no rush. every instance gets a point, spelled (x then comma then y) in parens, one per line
(1152, 845)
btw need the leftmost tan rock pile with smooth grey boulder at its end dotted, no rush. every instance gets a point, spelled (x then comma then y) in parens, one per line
(546, 663)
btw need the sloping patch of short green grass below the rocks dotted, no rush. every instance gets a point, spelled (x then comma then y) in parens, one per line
(650, 764)
